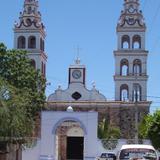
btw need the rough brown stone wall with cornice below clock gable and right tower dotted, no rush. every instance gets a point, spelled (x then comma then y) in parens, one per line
(119, 114)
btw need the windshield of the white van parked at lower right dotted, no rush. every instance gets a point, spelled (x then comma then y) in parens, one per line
(137, 153)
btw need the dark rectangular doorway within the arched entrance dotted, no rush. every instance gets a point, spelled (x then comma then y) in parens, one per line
(75, 147)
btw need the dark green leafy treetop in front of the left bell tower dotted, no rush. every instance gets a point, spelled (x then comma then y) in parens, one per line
(16, 69)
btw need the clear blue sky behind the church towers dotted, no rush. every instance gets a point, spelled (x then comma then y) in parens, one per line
(91, 25)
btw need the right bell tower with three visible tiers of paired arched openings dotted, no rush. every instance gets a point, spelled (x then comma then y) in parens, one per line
(131, 56)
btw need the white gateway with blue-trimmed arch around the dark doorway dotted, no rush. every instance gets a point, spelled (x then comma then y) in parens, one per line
(66, 135)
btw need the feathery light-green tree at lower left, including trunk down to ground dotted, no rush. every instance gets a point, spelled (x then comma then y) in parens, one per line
(16, 123)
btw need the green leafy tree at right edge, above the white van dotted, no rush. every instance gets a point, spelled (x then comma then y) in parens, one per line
(150, 128)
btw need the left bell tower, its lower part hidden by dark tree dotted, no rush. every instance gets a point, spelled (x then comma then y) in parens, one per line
(29, 35)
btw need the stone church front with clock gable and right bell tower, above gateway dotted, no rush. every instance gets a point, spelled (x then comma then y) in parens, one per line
(130, 78)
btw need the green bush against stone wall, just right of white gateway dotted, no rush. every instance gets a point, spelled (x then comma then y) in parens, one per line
(106, 131)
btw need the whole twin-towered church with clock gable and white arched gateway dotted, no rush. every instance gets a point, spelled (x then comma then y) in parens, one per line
(69, 126)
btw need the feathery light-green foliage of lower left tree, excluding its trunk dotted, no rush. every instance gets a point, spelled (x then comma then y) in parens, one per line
(15, 121)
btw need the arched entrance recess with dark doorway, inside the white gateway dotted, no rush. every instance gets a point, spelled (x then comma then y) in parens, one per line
(69, 140)
